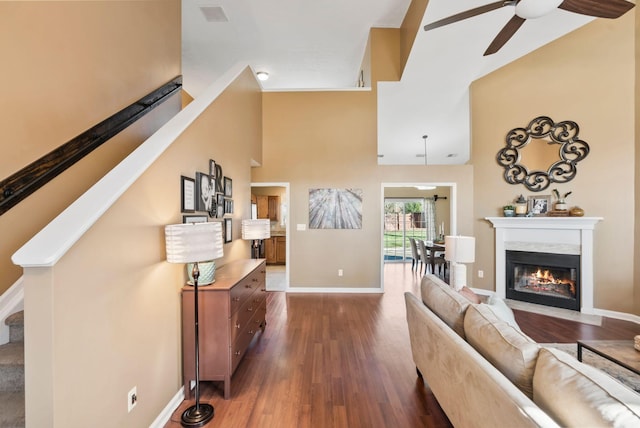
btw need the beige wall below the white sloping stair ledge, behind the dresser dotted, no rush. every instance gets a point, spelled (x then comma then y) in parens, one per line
(113, 320)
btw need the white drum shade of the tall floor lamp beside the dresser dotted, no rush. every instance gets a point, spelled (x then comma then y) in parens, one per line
(197, 242)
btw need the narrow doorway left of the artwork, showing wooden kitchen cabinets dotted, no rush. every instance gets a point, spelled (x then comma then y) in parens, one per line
(276, 196)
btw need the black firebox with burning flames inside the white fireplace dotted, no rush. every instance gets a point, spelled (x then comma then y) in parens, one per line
(543, 278)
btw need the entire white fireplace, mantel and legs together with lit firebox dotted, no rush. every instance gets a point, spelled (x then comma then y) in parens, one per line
(545, 260)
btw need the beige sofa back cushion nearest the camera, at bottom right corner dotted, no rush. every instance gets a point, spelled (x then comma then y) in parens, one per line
(579, 395)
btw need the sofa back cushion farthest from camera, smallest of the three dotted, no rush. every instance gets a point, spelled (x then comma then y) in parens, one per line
(445, 302)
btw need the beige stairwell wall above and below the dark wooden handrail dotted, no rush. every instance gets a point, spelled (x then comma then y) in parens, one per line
(66, 67)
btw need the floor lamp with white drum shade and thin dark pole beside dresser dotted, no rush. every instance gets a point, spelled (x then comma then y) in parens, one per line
(194, 243)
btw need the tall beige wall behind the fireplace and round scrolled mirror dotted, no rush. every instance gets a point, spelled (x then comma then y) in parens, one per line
(588, 77)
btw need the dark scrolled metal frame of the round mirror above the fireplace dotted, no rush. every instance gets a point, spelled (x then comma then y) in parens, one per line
(572, 150)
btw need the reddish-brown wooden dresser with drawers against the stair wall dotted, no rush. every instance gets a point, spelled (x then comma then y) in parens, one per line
(231, 311)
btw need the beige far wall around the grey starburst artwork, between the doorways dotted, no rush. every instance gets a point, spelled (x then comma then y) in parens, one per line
(328, 139)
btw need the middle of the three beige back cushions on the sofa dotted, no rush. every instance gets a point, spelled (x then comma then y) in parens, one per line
(508, 349)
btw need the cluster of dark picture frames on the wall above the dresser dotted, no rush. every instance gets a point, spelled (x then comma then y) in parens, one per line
(211, 193)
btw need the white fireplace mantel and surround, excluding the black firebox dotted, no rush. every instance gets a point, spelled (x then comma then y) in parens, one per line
(561, 235)
